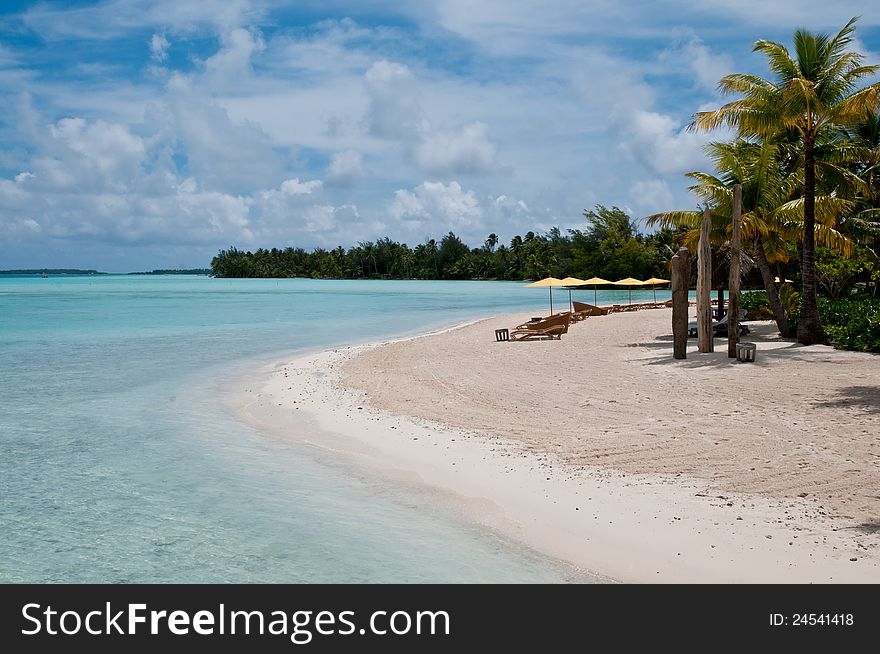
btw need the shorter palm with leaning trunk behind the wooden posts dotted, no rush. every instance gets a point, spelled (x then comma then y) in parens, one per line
(771, 211)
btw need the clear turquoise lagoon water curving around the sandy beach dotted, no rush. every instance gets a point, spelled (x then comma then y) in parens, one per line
(119, 464)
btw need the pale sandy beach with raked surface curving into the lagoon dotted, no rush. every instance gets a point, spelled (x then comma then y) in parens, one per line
(604, 452)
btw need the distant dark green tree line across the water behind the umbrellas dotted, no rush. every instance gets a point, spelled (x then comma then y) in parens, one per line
(611, 246)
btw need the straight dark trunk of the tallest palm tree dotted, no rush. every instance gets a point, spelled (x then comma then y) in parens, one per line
(809, 325)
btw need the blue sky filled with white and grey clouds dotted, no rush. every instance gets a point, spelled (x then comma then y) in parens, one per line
(142, 134)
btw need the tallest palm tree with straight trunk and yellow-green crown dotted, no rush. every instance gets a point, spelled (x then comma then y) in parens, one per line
(813, 92)
